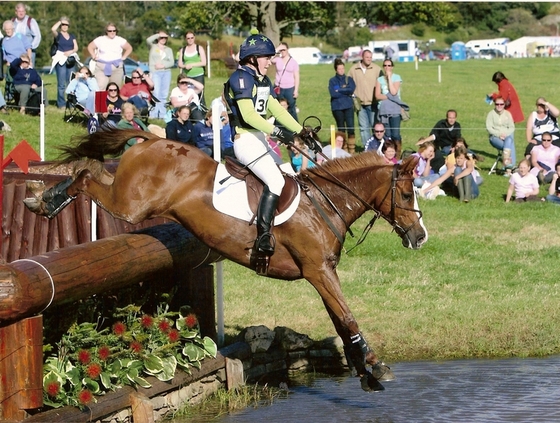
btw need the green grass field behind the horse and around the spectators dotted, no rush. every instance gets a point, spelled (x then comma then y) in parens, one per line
(485, 282)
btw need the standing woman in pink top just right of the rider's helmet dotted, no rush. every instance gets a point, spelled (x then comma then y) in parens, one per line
(287, 77)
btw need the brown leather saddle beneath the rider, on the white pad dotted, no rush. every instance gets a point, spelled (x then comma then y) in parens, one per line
(255, 186)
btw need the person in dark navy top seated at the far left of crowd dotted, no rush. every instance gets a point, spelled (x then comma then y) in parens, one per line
(26, 80)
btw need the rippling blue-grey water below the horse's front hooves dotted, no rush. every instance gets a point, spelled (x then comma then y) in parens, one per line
(507, 390)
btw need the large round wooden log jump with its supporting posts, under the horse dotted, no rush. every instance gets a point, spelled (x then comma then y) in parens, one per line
(30, 286)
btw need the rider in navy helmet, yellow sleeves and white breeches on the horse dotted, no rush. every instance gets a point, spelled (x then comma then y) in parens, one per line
(250, 96)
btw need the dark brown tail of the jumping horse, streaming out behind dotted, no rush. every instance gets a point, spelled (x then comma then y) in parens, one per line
(107, 142)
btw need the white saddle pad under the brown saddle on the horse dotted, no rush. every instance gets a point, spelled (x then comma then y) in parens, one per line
(231, 198)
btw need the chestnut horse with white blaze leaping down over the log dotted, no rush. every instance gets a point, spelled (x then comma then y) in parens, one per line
(159, 177)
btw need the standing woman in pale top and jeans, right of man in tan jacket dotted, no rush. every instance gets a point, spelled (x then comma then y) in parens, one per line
(388, 92)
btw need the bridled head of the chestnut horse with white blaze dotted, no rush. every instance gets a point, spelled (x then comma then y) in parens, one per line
(399, 206)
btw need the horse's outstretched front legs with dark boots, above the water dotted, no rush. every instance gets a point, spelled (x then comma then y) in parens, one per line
(358, 352)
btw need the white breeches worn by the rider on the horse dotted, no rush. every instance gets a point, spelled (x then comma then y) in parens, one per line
(252, 148)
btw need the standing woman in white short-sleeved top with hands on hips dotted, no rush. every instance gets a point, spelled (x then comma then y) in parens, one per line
(109, 51)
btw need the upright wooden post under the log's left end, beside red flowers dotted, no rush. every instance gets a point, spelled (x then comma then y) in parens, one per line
(21, 368)
